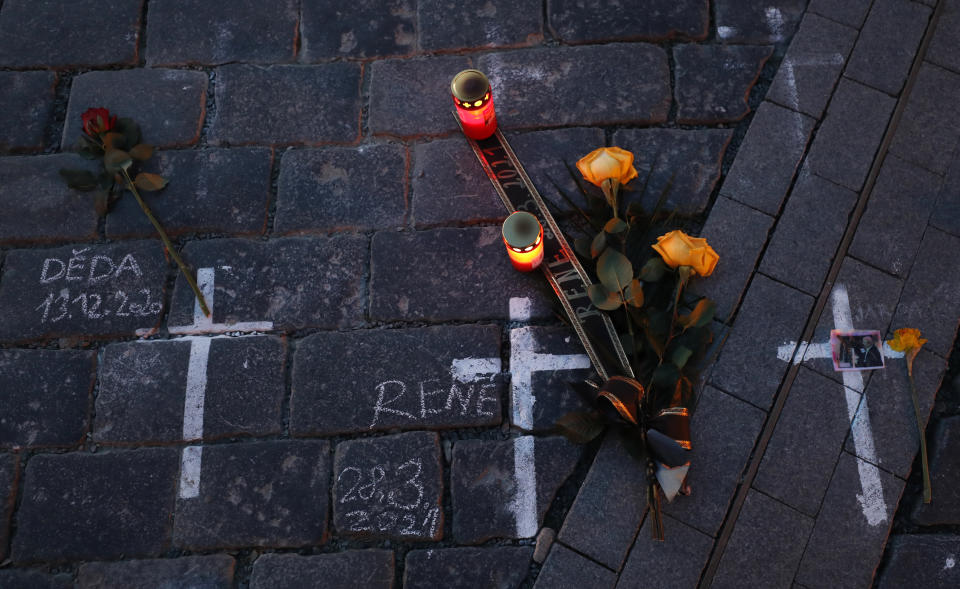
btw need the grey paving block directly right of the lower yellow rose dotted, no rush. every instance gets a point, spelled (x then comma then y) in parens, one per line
(741, 233)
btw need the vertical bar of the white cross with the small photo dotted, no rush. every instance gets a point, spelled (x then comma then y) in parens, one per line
(872, 503)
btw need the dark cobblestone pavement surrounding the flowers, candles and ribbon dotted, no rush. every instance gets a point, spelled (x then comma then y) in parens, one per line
(346, 416)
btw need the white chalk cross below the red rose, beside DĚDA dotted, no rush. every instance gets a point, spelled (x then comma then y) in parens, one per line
(192, 456)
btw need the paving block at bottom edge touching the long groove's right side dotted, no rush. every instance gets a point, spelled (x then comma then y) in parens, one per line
(760, 554)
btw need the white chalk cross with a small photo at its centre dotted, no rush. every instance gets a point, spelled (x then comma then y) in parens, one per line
(871, 500)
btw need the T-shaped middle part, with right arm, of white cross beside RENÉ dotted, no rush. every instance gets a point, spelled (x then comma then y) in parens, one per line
(524, 361)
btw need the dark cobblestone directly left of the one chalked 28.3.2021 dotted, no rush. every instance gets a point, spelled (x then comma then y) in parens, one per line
(259, 494)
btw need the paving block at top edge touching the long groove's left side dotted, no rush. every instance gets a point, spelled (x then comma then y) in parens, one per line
(887, 44)
